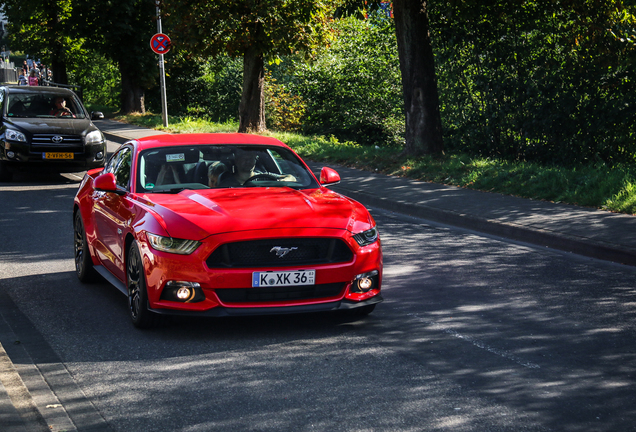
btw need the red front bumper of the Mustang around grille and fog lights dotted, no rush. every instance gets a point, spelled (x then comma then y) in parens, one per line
(339, 280)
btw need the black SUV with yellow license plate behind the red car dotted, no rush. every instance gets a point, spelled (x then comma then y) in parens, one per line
(47, 128)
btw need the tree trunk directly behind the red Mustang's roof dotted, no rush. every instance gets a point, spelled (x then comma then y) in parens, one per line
(252, 106)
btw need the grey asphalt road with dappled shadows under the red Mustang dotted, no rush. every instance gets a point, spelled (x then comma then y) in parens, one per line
(475, 334)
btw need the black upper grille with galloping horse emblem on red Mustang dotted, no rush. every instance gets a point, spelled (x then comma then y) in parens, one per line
(271, 253)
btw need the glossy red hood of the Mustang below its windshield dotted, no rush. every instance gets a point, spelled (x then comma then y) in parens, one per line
(195, 214)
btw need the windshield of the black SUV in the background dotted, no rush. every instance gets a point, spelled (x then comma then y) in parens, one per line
(43, 104)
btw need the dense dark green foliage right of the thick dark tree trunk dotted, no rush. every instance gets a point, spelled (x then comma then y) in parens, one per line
(538, 80)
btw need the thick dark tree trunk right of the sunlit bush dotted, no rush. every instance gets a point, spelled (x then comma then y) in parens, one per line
(419, 81)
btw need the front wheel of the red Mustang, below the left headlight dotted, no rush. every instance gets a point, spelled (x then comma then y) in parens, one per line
(140, 315)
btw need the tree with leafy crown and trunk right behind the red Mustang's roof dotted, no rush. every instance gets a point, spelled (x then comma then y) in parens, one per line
(253, 30)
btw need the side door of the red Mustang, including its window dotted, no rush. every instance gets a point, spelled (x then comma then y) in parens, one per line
(113, 213)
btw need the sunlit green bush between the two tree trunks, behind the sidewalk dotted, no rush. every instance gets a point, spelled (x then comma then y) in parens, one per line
(352, 89)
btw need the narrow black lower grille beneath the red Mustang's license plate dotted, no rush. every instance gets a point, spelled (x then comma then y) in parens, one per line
(274, 294)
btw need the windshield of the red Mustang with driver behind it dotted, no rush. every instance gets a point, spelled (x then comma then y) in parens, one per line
(172, 169)
